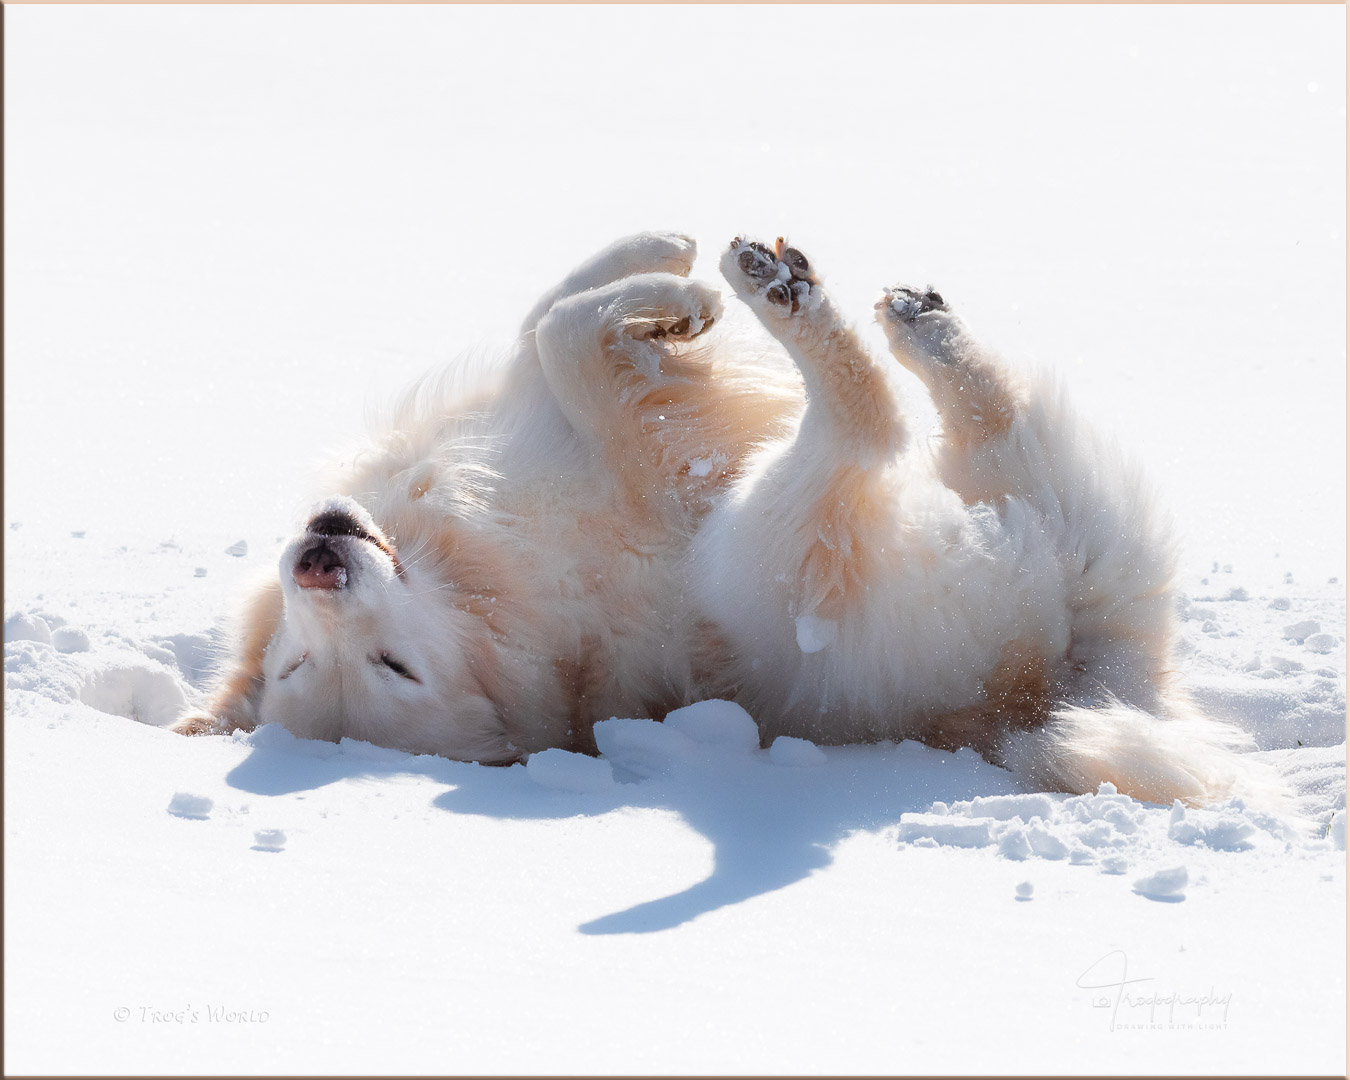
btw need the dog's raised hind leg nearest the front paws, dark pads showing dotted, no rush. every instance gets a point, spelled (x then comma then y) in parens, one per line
(816, 522)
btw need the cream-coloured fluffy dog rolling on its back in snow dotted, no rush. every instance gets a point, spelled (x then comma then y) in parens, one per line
(646, 511)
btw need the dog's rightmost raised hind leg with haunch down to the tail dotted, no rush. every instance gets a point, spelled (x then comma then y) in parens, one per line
(1020, 448)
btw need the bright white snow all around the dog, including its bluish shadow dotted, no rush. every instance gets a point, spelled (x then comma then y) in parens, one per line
(229, 232)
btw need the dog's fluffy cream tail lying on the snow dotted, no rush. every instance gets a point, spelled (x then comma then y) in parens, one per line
(1152, 758)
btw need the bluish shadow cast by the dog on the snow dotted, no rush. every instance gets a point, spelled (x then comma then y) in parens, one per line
(770, 826)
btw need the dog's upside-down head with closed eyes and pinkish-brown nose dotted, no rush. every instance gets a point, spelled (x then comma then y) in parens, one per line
(376, 649)
